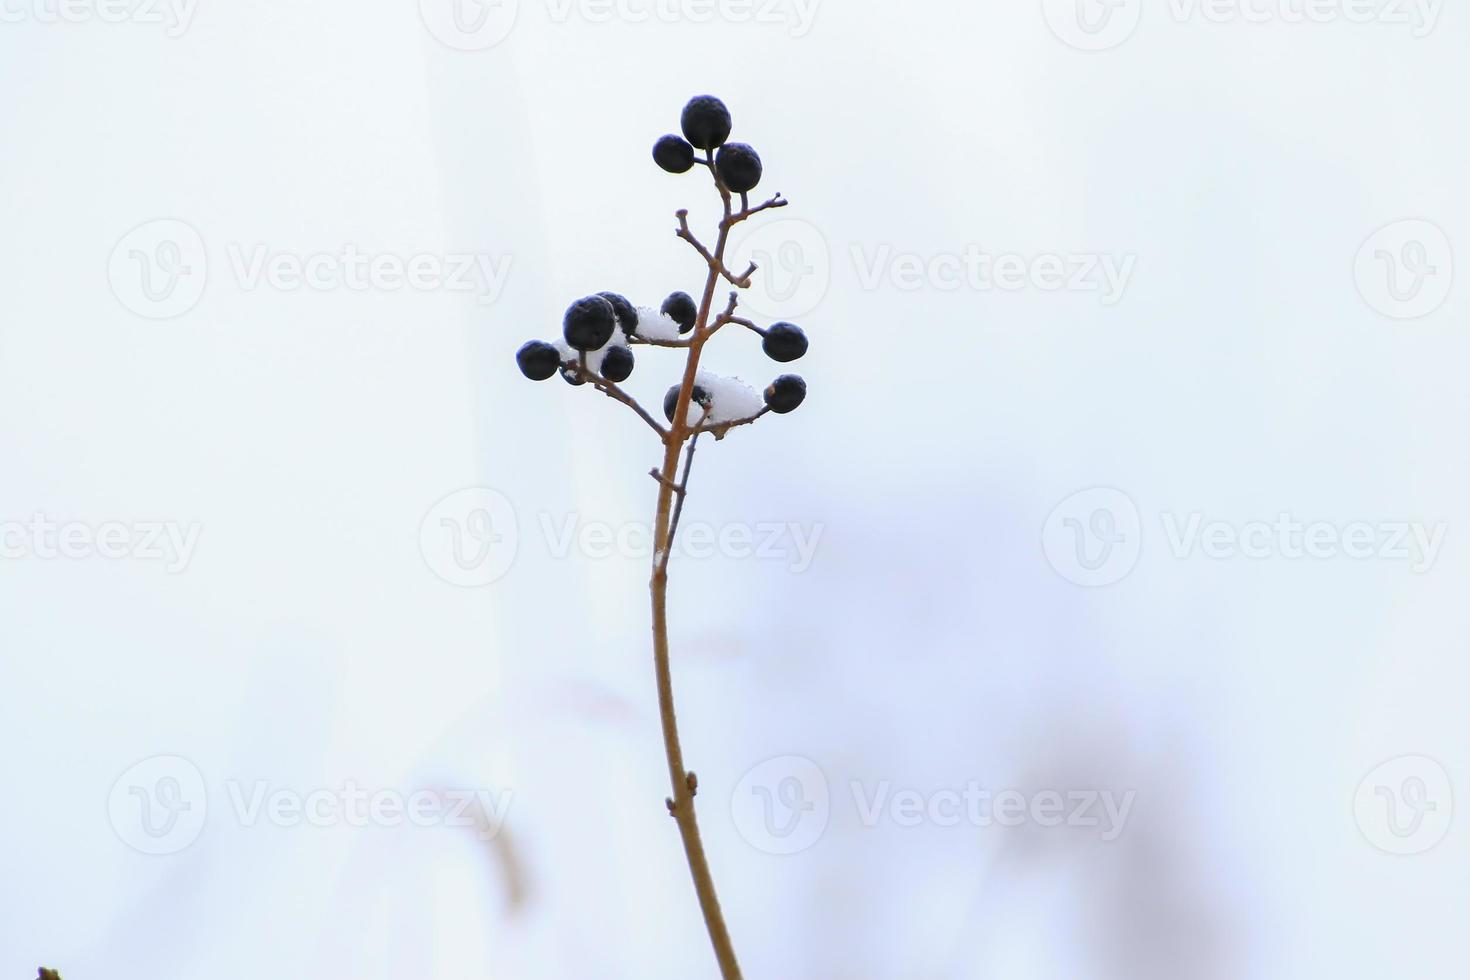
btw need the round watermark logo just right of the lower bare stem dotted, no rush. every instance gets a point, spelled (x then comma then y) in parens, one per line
(783, 806)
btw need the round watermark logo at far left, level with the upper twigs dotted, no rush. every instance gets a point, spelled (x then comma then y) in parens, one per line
(159, 270)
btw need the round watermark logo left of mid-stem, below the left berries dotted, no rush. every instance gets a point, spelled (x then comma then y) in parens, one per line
(471, 537)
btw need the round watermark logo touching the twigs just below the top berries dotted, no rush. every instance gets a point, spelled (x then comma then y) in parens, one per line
(795, 268)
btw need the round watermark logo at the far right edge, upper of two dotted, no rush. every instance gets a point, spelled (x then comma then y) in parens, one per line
(1406, 271)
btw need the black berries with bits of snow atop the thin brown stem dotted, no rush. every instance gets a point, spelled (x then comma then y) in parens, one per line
(599, 331)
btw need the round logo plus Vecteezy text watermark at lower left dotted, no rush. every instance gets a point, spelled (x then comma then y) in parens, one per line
(161, 806)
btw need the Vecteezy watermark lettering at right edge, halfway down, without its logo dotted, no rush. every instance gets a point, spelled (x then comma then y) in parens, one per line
(1287, 537)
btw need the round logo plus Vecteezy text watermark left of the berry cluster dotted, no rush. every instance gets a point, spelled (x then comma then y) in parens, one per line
(159, 270)
